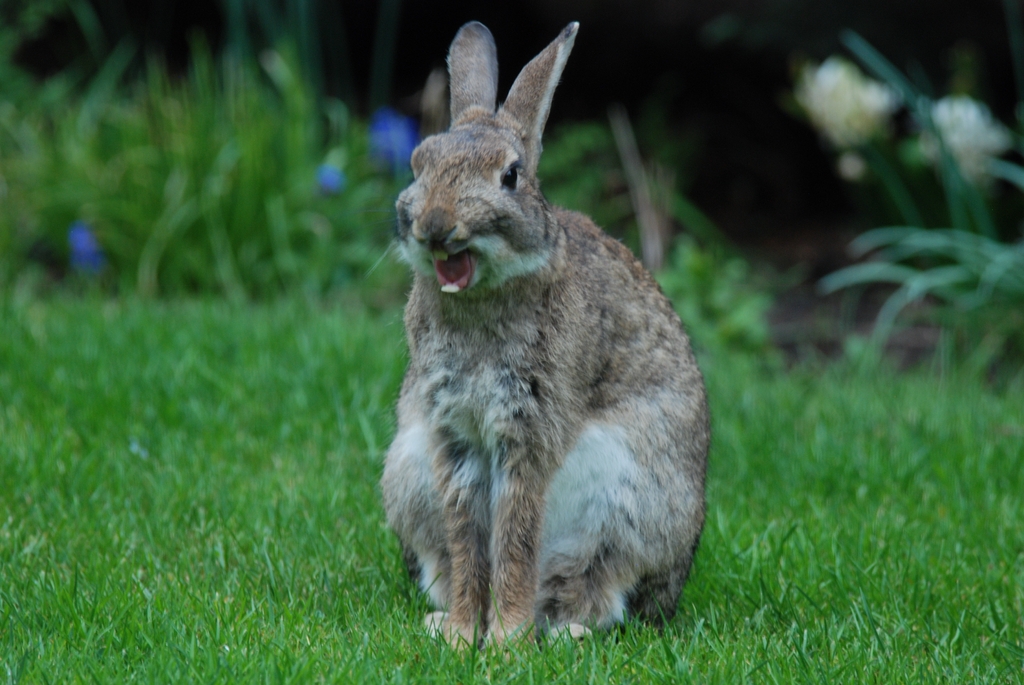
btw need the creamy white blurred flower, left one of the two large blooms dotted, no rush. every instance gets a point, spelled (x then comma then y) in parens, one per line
(843, 104)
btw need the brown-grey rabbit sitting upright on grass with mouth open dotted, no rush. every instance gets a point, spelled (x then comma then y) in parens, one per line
(548, 470)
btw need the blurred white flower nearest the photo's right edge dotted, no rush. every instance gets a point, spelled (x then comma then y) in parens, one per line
(970, 134)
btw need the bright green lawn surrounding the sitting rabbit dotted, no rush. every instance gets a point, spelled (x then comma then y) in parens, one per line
(190, 493)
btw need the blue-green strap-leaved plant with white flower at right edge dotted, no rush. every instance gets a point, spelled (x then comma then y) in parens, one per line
(972, 264)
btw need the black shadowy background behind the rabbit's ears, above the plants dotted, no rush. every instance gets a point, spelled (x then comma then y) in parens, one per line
(717, 68)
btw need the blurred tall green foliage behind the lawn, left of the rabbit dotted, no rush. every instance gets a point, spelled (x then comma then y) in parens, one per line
(207, 186)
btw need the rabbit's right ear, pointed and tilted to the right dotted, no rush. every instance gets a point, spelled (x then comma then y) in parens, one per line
(530, 99)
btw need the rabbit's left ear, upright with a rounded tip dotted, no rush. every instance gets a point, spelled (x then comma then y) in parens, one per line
(474, 70)
